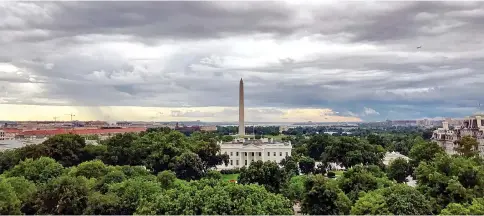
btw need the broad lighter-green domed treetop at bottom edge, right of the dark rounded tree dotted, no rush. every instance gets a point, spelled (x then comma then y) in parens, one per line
(398, 199)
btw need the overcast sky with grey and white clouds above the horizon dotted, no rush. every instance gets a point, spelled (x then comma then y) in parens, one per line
(344, 61)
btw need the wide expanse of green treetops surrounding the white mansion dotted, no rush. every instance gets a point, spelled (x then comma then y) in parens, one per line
(165, 172)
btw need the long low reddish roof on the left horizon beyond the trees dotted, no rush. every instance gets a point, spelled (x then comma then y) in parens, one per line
(79, 131)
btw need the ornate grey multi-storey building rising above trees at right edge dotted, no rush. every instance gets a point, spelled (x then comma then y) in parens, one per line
(471, 126)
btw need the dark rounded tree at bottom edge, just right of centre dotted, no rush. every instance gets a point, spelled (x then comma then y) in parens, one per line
(323, 197)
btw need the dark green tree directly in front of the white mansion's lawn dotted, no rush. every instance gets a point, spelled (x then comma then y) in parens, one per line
(268, 174)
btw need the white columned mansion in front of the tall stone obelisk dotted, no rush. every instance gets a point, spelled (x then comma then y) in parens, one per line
(243, 152)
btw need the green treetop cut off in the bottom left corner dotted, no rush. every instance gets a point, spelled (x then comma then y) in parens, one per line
(9, 202)
